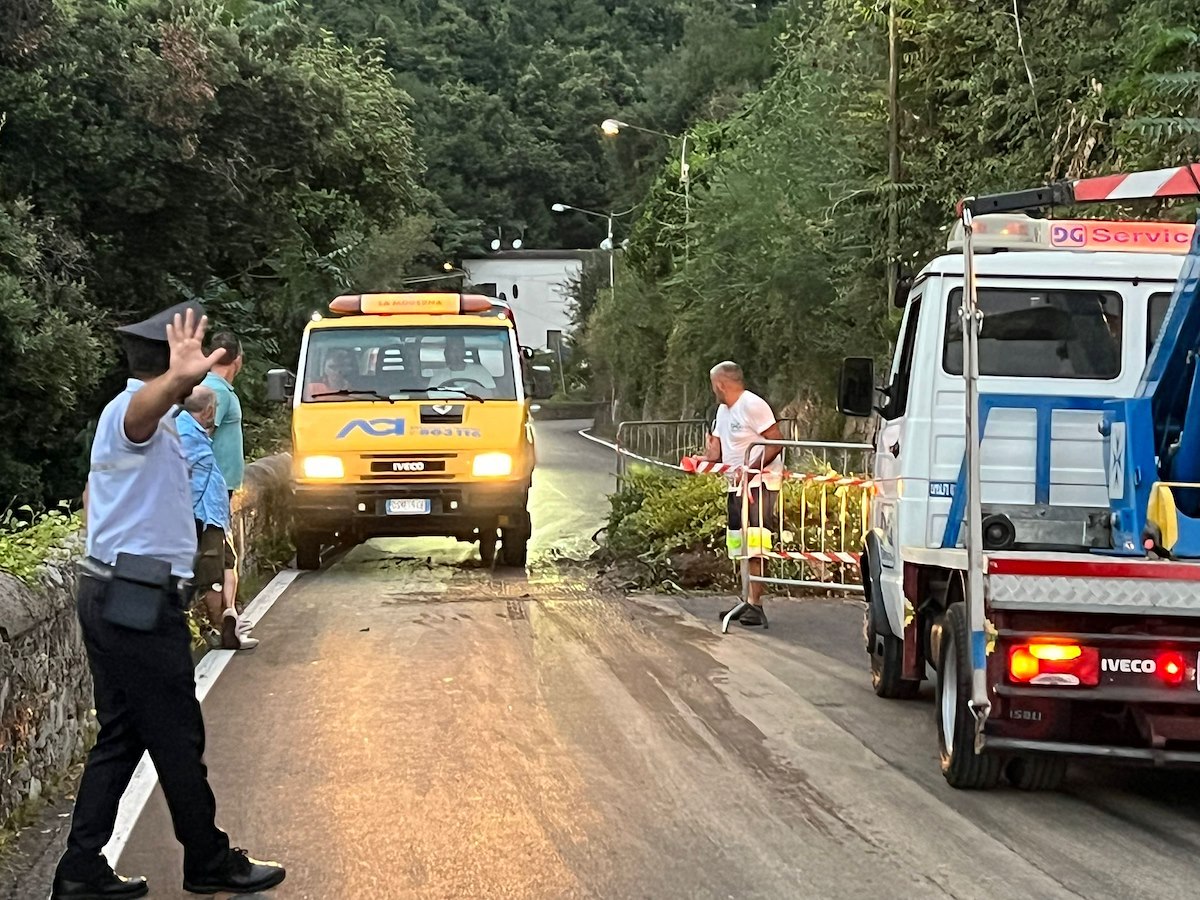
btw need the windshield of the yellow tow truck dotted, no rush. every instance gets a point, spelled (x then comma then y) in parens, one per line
(357, 364)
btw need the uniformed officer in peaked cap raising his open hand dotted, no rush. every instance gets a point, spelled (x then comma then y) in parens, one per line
(141, 547)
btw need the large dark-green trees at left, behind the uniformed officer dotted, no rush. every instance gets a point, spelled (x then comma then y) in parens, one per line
(155, 151)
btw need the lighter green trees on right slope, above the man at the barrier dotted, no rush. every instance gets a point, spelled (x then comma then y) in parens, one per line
(778, 254)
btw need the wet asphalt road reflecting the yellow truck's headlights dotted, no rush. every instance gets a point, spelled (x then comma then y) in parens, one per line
(413, 727)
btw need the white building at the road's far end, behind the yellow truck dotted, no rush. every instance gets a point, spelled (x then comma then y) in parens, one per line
(536, 283)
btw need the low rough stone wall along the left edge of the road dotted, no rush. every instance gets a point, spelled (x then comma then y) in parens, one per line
(46, 705)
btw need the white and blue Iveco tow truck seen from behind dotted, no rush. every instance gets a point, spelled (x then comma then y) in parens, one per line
(1035, 532)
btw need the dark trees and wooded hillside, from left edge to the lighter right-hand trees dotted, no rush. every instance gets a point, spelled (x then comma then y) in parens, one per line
(265, 158)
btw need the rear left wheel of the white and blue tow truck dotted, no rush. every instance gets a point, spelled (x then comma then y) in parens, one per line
(962, 766)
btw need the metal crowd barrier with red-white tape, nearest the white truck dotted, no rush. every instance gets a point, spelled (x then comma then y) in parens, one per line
(823, 515)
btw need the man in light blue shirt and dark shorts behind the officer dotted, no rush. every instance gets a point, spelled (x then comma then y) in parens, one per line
(215, 579)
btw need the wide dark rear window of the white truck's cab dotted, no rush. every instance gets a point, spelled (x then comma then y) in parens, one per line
(1041, 334)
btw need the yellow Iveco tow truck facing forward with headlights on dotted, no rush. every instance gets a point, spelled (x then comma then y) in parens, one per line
(411, 418)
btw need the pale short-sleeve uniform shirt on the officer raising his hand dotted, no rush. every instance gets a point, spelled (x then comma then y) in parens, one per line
(140, 496)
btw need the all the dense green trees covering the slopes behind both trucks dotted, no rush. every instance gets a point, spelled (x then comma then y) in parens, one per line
(265, 157)
